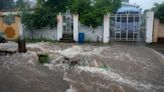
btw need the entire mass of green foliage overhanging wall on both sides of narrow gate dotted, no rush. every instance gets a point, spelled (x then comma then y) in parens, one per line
(91, 12)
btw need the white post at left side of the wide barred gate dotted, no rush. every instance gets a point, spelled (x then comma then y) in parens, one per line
(106, 28)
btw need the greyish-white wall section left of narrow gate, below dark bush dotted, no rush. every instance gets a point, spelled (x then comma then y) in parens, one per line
(45, 33)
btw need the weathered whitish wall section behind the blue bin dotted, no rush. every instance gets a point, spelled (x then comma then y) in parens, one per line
(92, 34)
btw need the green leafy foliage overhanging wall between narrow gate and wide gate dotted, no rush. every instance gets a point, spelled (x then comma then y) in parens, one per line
(92, 14)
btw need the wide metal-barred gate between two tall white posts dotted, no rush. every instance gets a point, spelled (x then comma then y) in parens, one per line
(127, 27)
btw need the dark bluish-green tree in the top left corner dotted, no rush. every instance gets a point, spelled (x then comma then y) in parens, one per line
(6, 4)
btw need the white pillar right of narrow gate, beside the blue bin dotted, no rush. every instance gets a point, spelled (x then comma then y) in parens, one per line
(75, 27)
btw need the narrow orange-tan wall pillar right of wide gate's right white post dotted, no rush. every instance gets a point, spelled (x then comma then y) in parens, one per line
(156, 29)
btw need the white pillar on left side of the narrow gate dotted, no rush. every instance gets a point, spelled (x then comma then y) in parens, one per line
(59, 26)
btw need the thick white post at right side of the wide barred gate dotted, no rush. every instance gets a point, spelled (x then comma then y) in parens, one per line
(149, 26)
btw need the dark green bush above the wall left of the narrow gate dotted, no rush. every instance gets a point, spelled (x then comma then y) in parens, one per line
(40, 17)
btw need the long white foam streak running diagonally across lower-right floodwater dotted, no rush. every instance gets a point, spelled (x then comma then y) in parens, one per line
(118, 78)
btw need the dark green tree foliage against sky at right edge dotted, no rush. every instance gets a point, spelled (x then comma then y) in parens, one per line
(159, 11)
